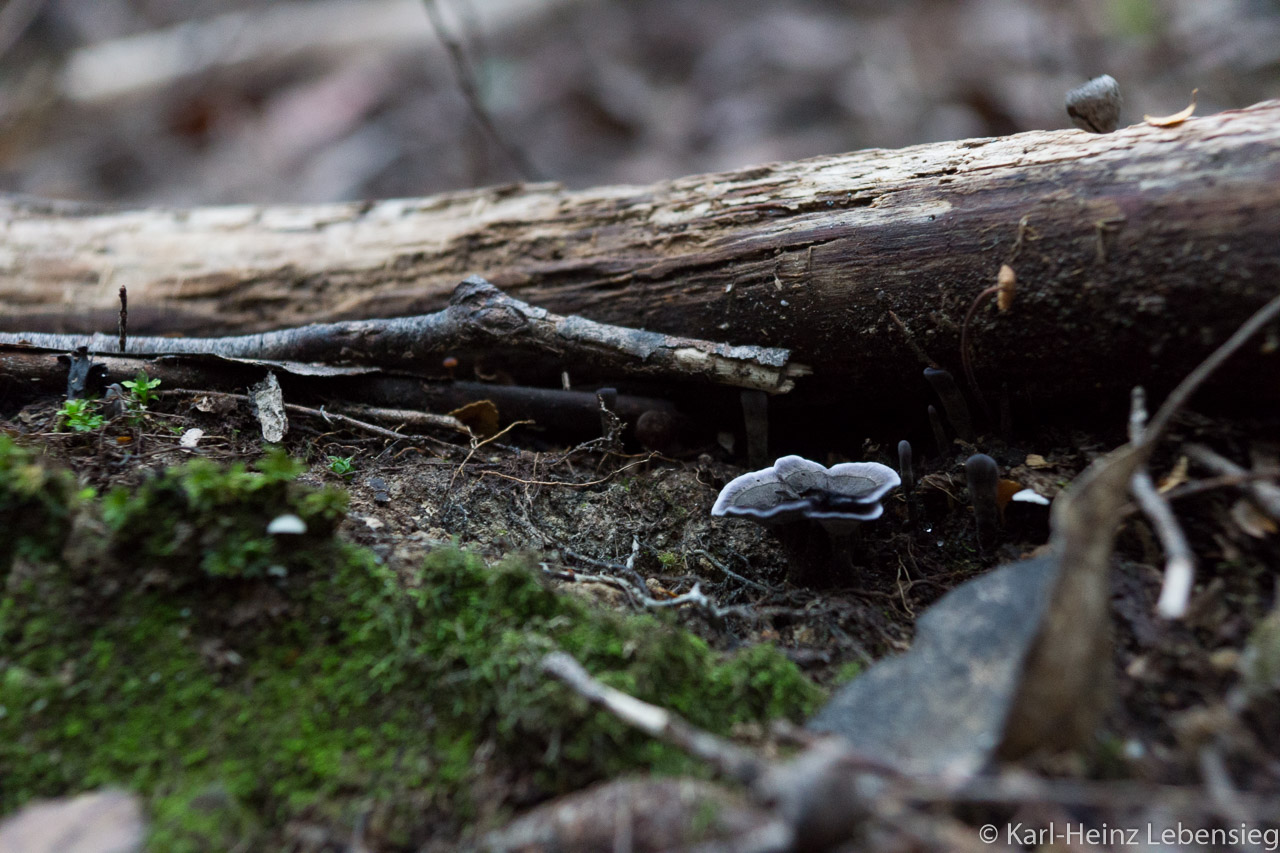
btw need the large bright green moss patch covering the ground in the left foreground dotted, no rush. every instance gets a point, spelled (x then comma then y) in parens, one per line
(371, 696)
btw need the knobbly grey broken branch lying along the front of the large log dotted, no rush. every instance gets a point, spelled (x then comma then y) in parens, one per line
(479, 317)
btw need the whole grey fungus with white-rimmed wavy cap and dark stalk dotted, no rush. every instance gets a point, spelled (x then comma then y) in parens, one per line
(796, 494)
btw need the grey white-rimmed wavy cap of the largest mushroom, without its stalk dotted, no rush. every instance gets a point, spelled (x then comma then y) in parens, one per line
(798, 489)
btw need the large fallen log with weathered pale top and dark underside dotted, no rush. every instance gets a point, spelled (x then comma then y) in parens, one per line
(1133, 252)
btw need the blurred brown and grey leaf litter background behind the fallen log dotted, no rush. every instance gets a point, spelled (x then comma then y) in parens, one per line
(149, 102)
